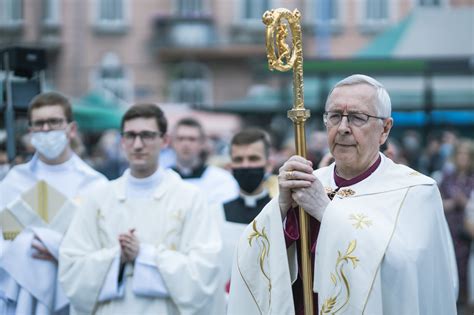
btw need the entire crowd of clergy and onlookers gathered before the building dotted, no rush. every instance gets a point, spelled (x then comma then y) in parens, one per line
(146, 225)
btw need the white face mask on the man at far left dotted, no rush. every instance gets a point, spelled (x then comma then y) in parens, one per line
(49, 143)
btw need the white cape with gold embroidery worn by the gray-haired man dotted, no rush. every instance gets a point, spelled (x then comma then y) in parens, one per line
(383, 248)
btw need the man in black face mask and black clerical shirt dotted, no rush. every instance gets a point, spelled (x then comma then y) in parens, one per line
(249, 154)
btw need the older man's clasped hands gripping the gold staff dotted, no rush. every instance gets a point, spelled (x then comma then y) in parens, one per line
(298, 186)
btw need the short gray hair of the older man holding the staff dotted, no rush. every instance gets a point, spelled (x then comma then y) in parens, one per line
(383, 106)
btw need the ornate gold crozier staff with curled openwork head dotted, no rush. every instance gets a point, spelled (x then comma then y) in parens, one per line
(285, 60)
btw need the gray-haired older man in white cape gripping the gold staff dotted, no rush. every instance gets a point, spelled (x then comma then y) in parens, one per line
(379, 241)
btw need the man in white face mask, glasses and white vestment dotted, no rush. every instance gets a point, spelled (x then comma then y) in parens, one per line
(28, 264)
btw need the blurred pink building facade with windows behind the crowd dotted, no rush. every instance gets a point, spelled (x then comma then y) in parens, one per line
(201, 52)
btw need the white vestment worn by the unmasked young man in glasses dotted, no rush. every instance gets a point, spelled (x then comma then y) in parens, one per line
(175, 228)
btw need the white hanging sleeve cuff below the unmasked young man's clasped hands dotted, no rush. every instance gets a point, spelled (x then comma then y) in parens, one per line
(147, 280)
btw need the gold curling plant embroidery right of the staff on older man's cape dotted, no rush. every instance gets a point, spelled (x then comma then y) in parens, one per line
(339, 279)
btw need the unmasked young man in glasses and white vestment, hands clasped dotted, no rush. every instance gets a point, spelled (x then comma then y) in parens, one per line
(146, 243)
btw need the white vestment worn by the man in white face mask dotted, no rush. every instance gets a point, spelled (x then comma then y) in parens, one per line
(29, 285)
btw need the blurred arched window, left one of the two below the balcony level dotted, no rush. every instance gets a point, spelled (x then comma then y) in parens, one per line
(112, 77)
